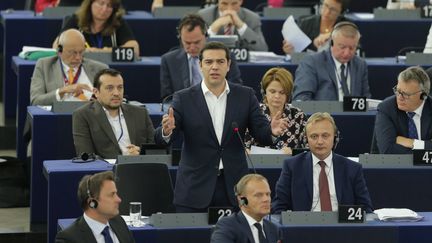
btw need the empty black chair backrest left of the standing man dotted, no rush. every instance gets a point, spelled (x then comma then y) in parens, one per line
(148, 183)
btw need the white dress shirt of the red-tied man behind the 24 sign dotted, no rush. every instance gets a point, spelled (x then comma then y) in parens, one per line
(316, 203)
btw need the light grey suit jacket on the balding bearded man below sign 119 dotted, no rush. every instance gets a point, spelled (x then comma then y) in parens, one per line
(47, 78)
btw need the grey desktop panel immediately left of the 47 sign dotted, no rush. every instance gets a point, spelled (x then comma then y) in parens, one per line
(386, 160)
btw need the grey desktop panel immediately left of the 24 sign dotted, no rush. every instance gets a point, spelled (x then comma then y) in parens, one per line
(309, 218)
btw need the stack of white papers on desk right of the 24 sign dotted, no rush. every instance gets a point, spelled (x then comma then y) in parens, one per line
(397, 215)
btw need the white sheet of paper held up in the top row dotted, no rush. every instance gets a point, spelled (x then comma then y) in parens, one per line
(294, 35)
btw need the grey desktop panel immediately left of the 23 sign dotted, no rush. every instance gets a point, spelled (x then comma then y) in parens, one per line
(174, 220)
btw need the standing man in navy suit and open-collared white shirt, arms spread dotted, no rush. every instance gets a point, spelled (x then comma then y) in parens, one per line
(212, 116)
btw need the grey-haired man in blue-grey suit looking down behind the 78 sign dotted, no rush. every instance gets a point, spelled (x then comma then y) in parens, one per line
(335, 72)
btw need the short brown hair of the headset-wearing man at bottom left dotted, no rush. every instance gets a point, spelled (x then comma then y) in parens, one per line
(90, 186)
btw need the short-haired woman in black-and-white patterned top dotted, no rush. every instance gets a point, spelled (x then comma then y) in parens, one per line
(277, 85)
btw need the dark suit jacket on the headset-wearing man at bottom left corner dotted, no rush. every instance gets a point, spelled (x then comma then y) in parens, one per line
(80, 232)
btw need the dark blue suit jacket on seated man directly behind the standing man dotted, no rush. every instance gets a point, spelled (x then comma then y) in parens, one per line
(175, 75)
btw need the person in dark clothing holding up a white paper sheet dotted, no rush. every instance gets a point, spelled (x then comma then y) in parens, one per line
(319, 27)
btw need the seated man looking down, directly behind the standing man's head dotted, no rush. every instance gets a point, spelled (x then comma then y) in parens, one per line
(180, 67)
